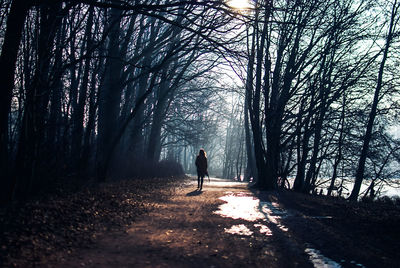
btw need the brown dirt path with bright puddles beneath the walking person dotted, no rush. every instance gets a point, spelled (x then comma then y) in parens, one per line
(192, 229)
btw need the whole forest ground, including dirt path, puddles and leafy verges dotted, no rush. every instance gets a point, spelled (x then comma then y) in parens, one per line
(168, 223)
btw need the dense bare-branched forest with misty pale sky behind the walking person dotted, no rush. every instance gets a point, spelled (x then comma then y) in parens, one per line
(101, 89)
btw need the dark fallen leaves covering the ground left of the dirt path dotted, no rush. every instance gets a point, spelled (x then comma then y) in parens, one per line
(38, 230)
